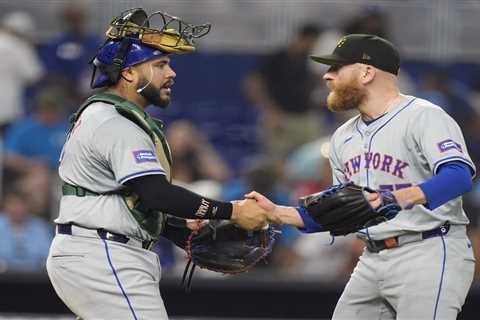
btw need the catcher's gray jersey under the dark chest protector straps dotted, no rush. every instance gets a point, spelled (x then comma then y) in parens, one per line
(104, 151)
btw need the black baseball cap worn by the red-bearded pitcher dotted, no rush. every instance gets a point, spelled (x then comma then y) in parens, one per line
(363, 48)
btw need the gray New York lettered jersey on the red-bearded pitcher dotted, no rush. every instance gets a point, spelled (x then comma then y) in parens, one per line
(403, 147)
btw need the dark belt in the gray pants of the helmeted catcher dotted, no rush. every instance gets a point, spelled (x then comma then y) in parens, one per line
(74, 230)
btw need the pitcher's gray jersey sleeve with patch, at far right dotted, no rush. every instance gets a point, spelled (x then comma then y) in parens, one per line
(440, 139)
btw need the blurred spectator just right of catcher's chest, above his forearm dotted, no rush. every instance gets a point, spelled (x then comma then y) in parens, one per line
(197, 163)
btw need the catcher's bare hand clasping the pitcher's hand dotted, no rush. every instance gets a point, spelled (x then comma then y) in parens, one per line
(248, 214)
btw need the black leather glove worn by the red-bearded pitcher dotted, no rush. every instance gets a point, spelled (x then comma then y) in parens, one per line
(344, 208)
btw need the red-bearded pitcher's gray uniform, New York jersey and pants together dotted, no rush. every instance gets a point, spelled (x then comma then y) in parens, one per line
(424, 277)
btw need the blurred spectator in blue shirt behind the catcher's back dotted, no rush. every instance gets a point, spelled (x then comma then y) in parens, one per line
(38, 138)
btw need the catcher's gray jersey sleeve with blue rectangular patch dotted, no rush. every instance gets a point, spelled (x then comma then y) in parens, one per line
(127, 149)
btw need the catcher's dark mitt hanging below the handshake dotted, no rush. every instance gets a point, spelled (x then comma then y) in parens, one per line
(224, 247)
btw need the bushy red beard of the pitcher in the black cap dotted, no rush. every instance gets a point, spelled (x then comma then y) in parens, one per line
(346, 95)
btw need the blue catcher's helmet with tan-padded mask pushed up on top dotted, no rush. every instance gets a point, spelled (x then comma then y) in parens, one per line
(132, 40)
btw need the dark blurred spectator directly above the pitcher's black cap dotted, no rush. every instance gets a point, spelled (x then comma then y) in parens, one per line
(372, 20)
